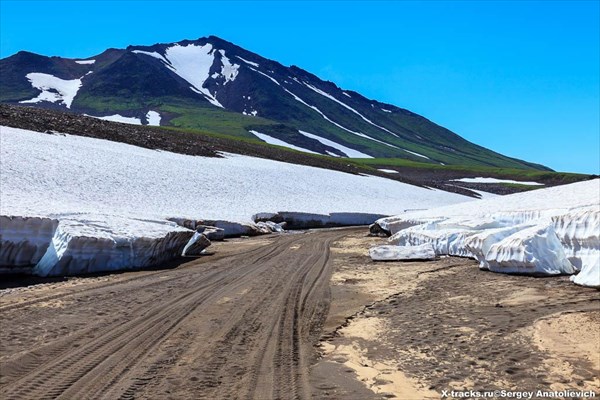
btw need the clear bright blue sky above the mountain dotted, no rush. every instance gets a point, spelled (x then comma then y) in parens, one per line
(521, 78)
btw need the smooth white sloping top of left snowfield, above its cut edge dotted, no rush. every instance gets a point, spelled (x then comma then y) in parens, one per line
(97, 176)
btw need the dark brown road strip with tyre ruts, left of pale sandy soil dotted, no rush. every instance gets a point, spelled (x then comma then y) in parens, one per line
(239, 324)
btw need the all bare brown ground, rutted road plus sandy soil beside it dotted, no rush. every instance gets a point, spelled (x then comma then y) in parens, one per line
(245, 323)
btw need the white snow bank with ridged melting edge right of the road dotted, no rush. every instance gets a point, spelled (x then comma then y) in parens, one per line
(544, 232)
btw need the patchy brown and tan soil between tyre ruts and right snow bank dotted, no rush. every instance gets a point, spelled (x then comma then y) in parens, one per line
(445, 324)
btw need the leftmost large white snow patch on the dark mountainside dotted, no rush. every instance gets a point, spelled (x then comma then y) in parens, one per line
(53, 89)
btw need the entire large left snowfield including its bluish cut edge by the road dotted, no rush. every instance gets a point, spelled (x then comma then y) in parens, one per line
(72, 204)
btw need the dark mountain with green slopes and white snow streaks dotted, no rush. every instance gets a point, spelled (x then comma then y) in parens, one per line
(212, 85)
